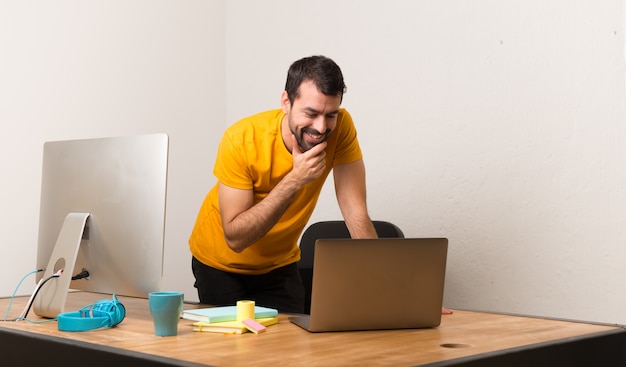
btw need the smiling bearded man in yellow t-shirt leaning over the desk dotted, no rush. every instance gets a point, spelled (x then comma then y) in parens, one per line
(270, 169)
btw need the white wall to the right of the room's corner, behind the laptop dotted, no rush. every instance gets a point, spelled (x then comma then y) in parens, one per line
(498, 124)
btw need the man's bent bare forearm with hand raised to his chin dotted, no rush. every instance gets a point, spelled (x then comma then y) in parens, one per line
(245, 222)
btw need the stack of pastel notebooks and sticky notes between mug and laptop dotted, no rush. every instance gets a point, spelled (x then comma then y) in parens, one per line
(224, 319)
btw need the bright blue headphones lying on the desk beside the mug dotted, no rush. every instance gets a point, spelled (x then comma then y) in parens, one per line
(103, 313)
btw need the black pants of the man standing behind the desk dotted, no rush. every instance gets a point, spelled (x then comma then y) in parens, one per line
(280, 288)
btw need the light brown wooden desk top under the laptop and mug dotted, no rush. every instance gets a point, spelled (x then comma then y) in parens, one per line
(461, 335)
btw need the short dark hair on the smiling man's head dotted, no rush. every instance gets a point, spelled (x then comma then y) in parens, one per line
(324, 72)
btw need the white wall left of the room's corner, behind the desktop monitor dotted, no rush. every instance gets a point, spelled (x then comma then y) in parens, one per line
(82, 69)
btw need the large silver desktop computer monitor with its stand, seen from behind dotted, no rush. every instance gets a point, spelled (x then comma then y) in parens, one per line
(102, 210)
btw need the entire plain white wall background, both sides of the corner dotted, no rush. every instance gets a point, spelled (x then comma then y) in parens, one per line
(499, 124)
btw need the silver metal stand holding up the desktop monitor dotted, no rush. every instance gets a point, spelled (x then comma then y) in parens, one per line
(50, 300)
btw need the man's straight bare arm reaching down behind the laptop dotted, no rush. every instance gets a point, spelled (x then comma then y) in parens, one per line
(351, 196)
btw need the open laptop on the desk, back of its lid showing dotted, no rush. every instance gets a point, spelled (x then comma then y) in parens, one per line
(374, 284)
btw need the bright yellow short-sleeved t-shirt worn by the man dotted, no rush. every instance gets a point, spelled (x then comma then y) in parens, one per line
(253, 156)
